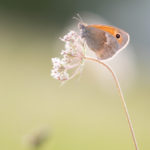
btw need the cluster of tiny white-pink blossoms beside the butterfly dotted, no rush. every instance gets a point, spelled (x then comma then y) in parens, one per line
(72, 57)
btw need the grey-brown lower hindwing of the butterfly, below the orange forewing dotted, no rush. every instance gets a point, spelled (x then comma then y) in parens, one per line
(101, 42)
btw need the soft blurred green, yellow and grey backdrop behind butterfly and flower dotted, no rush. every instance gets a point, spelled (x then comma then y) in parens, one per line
(86, 113)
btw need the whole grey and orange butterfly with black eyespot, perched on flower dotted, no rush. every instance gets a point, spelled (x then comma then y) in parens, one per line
(104, 40)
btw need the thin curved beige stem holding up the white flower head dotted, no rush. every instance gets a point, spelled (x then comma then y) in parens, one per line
(121, 95)
